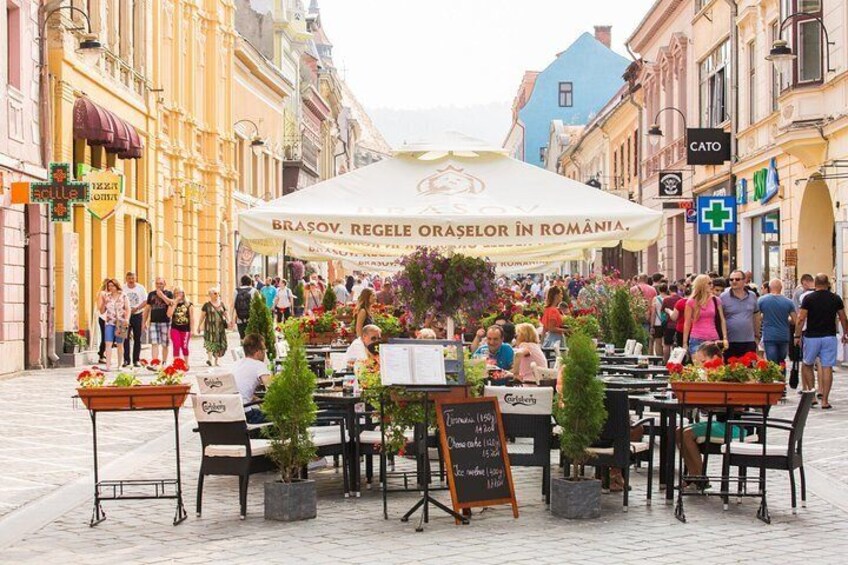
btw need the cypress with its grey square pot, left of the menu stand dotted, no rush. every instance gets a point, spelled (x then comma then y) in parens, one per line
(288, 404)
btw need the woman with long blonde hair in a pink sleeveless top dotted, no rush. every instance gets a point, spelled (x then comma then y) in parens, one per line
(703, 317)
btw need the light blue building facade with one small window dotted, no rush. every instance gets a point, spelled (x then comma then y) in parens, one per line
(573, 88)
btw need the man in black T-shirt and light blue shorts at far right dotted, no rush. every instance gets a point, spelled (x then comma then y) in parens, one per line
(819, 310)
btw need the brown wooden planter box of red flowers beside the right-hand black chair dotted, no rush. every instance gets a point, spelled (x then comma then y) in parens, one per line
(728, 394)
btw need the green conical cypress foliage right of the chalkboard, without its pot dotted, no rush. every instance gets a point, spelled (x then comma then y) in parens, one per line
(579, 408)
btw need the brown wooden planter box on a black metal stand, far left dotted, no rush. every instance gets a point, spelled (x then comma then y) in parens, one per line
(142, 397)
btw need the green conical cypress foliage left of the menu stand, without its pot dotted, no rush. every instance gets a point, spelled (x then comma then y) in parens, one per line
(288, 404)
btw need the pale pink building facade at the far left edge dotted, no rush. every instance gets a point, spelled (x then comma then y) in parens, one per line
(23, 229)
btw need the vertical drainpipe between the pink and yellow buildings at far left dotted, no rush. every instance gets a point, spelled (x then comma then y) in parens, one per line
(45, 122)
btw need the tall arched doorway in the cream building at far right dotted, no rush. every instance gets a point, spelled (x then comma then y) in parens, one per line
(815, 230)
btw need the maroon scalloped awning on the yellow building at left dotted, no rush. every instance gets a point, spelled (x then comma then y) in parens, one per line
(99, 126)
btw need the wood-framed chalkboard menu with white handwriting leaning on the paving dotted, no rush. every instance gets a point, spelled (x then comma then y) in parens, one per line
(474, 447)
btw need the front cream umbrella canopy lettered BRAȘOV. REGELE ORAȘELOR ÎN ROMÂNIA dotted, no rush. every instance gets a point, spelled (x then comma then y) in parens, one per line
(457, 193)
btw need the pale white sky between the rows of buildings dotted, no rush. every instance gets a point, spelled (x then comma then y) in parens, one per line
(429, 65)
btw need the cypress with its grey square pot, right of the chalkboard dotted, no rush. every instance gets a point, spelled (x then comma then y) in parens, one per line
(579, 410)
